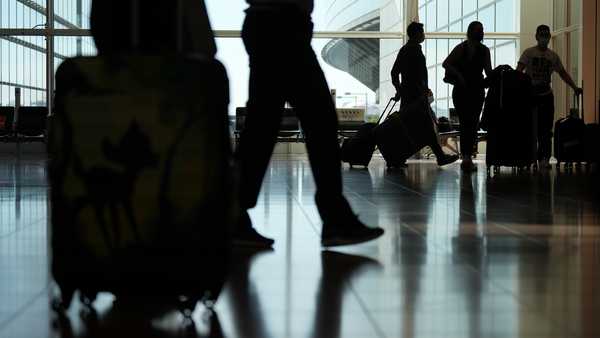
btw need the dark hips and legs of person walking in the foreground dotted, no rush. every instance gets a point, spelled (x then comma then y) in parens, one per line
(291, 73)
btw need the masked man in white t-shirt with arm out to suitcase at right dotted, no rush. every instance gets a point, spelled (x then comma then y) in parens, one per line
(539, 62)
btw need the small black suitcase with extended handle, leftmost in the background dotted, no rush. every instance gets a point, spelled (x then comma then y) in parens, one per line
(358, 150)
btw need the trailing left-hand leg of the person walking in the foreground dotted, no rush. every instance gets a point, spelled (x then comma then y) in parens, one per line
(258, 138)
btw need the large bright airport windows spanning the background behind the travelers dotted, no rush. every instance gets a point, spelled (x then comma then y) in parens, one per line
(356, 42)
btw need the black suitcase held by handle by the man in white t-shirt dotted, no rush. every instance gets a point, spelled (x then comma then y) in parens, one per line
(569, 138)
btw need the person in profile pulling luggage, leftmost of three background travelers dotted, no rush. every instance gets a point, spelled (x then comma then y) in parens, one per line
(410, 63)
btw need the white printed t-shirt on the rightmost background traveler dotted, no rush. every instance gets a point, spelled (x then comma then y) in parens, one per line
(540, 65)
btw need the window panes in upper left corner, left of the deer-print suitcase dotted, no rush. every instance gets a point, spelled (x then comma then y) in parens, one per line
(23, 58)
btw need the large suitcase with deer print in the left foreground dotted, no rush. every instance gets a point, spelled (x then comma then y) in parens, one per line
(142, 193)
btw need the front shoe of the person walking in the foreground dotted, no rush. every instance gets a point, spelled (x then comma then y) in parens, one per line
(352, 232)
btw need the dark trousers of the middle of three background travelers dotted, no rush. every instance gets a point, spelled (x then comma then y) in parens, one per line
(468, 104)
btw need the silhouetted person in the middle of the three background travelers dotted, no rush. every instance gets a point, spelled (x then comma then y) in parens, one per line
(464, 67)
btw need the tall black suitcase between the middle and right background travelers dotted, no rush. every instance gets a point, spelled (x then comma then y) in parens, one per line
(510, 120)
